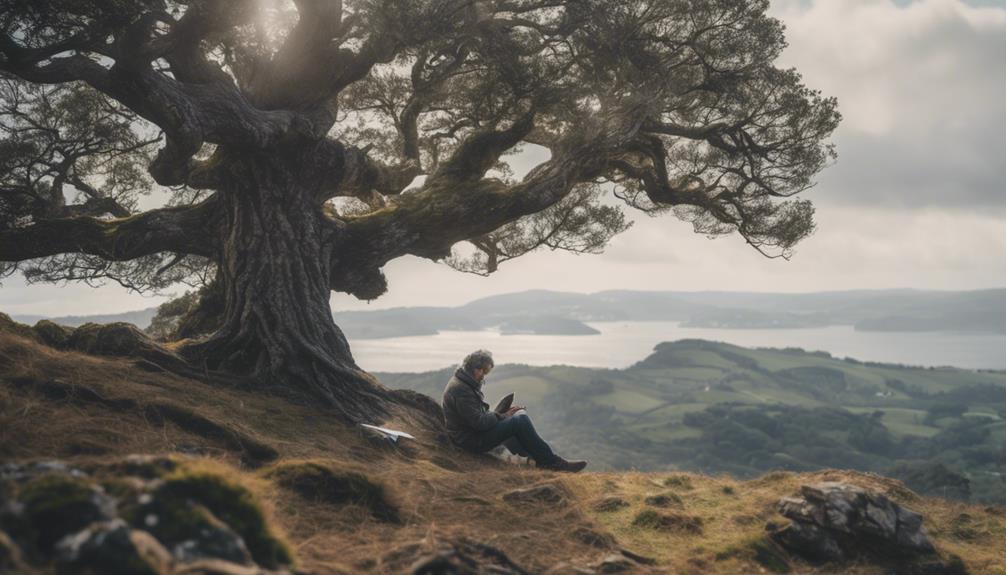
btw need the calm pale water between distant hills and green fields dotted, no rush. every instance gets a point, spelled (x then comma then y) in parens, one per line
(622, 344)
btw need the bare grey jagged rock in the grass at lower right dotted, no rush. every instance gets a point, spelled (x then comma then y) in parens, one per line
(835, 522)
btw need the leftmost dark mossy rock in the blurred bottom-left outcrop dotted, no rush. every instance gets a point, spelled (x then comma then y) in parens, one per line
(58, 505)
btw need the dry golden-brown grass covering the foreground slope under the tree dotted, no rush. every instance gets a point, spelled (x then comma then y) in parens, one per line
(90, 411)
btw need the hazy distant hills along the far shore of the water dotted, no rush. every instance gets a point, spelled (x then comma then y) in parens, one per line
(558, 313)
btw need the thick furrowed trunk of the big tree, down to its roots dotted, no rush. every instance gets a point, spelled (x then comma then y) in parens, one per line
(275, 260)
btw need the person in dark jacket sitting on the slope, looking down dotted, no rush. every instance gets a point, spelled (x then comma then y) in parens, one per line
(473, 427)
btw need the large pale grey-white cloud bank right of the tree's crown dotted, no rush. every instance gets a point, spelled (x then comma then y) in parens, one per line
(920, 87)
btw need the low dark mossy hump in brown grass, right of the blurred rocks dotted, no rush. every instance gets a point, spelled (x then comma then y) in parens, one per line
(322, 484)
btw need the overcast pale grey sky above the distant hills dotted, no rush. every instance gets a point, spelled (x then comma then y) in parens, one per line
(917, 199)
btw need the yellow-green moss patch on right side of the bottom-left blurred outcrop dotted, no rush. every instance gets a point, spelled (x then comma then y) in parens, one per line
(187, 496)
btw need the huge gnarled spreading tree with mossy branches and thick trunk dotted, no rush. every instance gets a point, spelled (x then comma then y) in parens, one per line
(304, 145)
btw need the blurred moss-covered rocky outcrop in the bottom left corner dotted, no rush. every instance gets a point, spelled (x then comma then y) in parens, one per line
(144, 516)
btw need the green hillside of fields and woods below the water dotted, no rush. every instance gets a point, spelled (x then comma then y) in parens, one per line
(718, 409)
